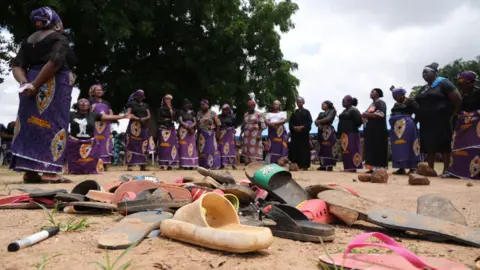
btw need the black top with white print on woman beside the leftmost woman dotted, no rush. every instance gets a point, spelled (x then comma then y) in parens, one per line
(83, 125)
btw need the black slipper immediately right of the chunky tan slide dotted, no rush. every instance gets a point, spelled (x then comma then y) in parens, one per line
(292, 224)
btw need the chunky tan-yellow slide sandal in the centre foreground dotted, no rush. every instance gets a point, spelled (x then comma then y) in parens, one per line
(212, 222)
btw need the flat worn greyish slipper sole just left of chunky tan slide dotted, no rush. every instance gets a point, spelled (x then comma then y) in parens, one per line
(132, 229)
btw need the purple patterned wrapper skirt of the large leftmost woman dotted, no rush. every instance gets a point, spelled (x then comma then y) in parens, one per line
(41, 127)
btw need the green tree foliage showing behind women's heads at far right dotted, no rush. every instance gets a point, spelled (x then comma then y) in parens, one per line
(452, 70)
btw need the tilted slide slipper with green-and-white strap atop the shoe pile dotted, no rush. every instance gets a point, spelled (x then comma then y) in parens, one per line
(280, 185)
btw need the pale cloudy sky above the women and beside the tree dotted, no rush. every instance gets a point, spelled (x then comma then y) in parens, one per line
(350, 46)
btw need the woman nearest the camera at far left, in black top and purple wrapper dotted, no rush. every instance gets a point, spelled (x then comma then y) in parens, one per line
(42, 66)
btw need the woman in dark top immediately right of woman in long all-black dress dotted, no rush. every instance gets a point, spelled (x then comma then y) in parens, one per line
(326, 137)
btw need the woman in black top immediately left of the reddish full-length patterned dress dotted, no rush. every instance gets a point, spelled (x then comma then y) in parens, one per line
(227, 137)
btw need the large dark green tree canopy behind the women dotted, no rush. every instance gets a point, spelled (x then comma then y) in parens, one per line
(223, 51)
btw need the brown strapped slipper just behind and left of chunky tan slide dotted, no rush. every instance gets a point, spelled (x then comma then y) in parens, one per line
(151, 199)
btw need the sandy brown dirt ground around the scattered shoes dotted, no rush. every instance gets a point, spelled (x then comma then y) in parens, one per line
(78, 250)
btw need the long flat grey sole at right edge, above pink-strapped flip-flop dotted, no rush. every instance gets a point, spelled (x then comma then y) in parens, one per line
(406, 221)
